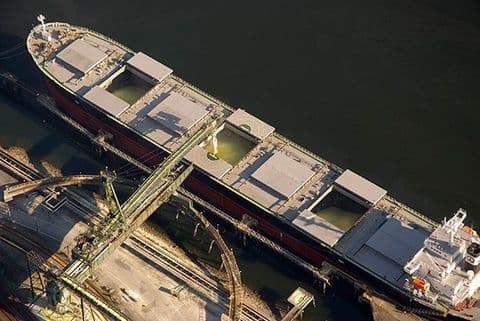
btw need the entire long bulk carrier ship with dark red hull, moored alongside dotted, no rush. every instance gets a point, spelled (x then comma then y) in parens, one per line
(247, 169)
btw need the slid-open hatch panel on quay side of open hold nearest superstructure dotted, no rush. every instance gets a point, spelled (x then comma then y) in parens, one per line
(318, 227)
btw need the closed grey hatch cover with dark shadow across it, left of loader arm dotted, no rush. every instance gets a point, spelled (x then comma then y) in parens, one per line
(177, 113)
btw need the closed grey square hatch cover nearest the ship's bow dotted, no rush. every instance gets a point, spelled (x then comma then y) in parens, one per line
(81, 55)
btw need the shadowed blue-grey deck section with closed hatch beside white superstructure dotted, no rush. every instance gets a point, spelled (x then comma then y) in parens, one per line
(385, 239)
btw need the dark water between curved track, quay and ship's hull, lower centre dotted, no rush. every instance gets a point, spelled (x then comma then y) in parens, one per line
(270, 277)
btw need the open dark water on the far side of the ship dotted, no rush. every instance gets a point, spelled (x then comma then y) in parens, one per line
(386, 88)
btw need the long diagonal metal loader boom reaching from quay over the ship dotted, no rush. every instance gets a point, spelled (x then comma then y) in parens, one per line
(103, 238)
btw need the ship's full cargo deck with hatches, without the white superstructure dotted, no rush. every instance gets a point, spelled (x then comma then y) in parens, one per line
(279, 176)
